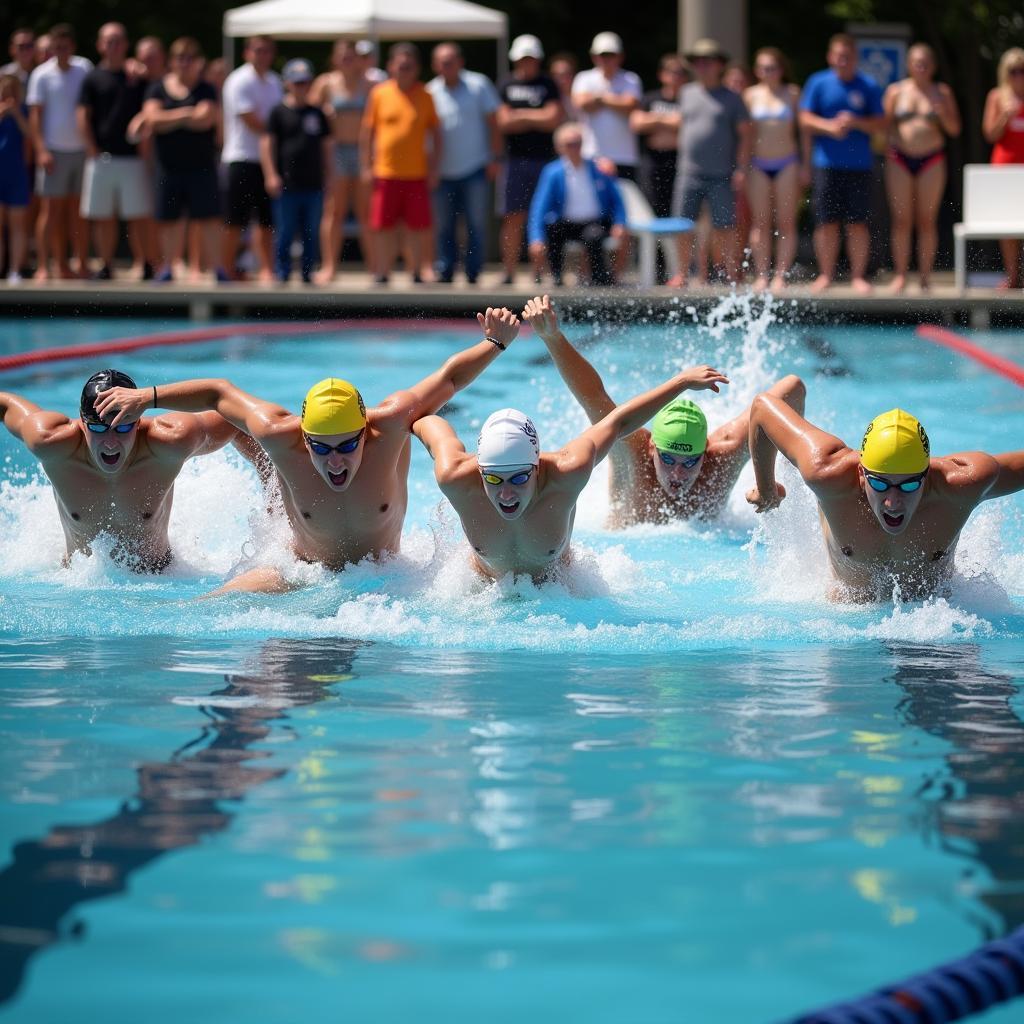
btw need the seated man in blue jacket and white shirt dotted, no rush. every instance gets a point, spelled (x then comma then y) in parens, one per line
(575, 201)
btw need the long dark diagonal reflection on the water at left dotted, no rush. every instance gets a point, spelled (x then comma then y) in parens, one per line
(178, 803)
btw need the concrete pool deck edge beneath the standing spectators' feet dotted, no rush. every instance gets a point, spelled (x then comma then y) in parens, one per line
(354, 294)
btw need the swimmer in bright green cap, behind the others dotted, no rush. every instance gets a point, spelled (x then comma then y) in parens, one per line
(673, 472)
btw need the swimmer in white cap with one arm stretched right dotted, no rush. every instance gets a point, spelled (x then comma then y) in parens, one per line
(518, 504)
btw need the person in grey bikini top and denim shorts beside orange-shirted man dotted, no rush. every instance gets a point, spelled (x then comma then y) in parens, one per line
(343, 94)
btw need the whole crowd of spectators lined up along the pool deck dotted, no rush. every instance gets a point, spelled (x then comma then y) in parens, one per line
(219, 175)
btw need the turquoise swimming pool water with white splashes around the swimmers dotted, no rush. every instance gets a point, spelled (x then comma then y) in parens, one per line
(676, 785)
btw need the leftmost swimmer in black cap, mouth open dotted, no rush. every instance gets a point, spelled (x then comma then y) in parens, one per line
(114, 480)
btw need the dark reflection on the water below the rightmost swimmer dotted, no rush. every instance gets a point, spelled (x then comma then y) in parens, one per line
(979, 802)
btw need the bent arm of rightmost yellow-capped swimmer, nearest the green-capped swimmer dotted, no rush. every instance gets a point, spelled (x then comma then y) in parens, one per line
(777, 426)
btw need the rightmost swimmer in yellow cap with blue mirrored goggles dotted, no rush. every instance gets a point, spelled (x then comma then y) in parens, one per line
(890, 513)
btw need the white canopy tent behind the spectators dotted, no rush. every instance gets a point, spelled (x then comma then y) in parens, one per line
(376, 20)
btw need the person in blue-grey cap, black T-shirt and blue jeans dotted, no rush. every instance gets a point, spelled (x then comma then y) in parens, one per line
(295, 151)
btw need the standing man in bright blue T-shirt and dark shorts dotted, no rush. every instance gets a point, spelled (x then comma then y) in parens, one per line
(840, 108)
